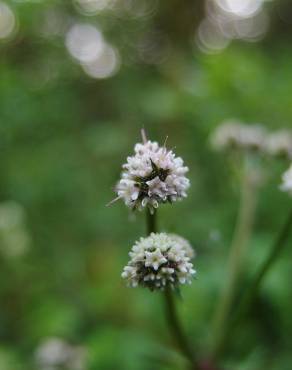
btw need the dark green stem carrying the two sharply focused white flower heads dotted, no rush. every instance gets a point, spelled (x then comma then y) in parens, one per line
(170, 308)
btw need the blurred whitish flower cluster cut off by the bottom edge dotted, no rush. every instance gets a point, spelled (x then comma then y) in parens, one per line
(56, 354)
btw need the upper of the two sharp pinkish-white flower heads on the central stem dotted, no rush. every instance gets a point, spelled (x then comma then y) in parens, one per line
(151, 176)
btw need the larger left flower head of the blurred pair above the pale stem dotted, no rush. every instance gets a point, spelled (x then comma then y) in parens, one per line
(236, 135)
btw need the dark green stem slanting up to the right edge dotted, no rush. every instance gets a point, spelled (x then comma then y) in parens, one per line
(251, 293)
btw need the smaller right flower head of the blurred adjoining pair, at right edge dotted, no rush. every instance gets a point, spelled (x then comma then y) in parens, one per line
(279, 144)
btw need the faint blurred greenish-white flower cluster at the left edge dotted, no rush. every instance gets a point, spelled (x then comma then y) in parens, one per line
(14, 236)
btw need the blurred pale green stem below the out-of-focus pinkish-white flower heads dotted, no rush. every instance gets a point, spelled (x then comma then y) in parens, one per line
(244, 223)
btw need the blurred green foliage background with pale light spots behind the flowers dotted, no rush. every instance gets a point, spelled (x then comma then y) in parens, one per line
(79, 79)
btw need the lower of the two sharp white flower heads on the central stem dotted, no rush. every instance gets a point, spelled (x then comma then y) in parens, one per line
(158, 261)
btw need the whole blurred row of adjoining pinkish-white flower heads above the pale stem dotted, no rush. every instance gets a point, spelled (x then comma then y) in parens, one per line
(233, 134)
